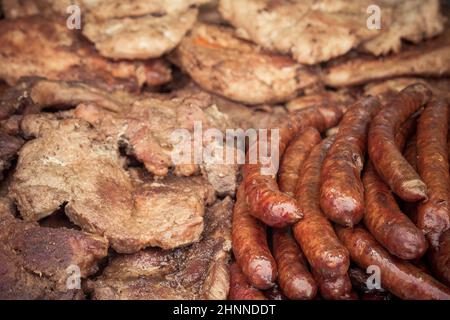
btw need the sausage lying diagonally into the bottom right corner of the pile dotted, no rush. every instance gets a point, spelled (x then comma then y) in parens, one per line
(398, 276)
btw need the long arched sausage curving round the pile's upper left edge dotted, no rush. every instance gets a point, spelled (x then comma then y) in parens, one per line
(266, 201)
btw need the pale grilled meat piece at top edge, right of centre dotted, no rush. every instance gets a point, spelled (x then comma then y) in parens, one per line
(312, 31)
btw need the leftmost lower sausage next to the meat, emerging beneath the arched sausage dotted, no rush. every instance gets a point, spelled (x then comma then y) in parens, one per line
(250, 246)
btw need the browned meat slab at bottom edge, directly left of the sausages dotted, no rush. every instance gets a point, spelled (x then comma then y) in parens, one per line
(196, 272)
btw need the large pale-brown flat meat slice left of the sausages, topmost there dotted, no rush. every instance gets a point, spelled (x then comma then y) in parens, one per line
(71, 163)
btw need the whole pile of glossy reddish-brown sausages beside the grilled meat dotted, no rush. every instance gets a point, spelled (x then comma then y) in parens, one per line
(373, 195)
